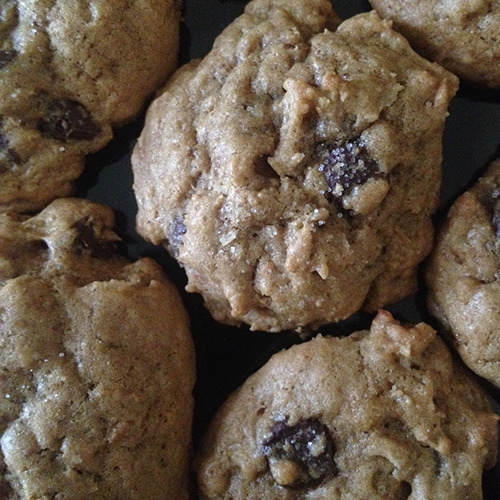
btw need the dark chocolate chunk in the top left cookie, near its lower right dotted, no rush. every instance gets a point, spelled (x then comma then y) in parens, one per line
(66, 119)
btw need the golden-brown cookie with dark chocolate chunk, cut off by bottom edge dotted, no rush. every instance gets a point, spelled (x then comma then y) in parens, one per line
(381, 414)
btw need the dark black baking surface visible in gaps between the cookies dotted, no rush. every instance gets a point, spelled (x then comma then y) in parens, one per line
(226, 355)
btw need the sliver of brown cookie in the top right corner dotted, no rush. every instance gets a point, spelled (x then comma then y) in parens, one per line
(462, 35)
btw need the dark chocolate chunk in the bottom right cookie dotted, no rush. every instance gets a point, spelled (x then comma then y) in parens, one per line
(300, 455)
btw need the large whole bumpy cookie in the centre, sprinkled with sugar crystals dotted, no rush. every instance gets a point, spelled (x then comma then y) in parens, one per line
(293, 170)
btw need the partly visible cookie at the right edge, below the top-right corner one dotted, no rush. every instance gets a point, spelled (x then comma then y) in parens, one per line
(463, 275)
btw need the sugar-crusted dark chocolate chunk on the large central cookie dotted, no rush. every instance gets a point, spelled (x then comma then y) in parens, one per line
(346, 166)
